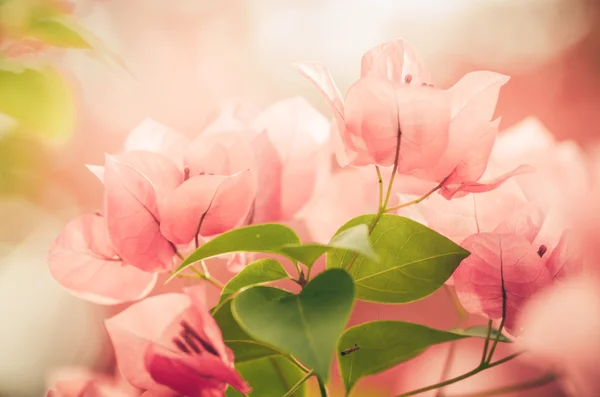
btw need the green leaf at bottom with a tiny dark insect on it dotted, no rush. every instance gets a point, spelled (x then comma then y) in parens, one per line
(383, 345)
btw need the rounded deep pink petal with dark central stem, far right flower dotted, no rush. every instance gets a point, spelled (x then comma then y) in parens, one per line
(478, 279)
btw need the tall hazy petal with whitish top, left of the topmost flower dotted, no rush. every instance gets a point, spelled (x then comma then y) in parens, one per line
(295, 141)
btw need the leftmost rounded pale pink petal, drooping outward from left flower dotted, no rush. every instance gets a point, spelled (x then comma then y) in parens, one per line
(83, 261)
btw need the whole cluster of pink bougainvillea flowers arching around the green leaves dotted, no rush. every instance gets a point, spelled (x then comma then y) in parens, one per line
(165, 195)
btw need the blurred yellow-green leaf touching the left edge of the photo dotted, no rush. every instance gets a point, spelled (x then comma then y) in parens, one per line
(40, 101)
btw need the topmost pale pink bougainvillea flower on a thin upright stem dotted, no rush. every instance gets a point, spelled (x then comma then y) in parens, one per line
(445, 135)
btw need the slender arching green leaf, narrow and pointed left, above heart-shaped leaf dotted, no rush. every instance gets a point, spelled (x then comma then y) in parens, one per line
(268, 237)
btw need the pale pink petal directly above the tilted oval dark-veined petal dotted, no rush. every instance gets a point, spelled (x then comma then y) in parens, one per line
(221, 152)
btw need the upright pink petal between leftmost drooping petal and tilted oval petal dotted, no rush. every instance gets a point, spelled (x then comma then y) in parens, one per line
(132, 216)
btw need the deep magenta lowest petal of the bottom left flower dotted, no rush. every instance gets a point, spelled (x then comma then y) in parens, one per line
(192, 375)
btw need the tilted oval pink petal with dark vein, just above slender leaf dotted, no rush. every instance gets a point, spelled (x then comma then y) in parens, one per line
(207, 205)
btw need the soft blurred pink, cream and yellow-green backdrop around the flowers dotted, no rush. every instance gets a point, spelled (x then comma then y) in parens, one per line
(174, 61)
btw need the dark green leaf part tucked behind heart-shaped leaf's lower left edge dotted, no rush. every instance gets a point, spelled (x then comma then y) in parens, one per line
(244, 347)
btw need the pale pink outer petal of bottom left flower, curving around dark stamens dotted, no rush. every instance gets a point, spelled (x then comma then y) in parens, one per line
(133, 330)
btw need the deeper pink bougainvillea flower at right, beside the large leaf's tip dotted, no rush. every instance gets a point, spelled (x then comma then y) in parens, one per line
(513, 257)
